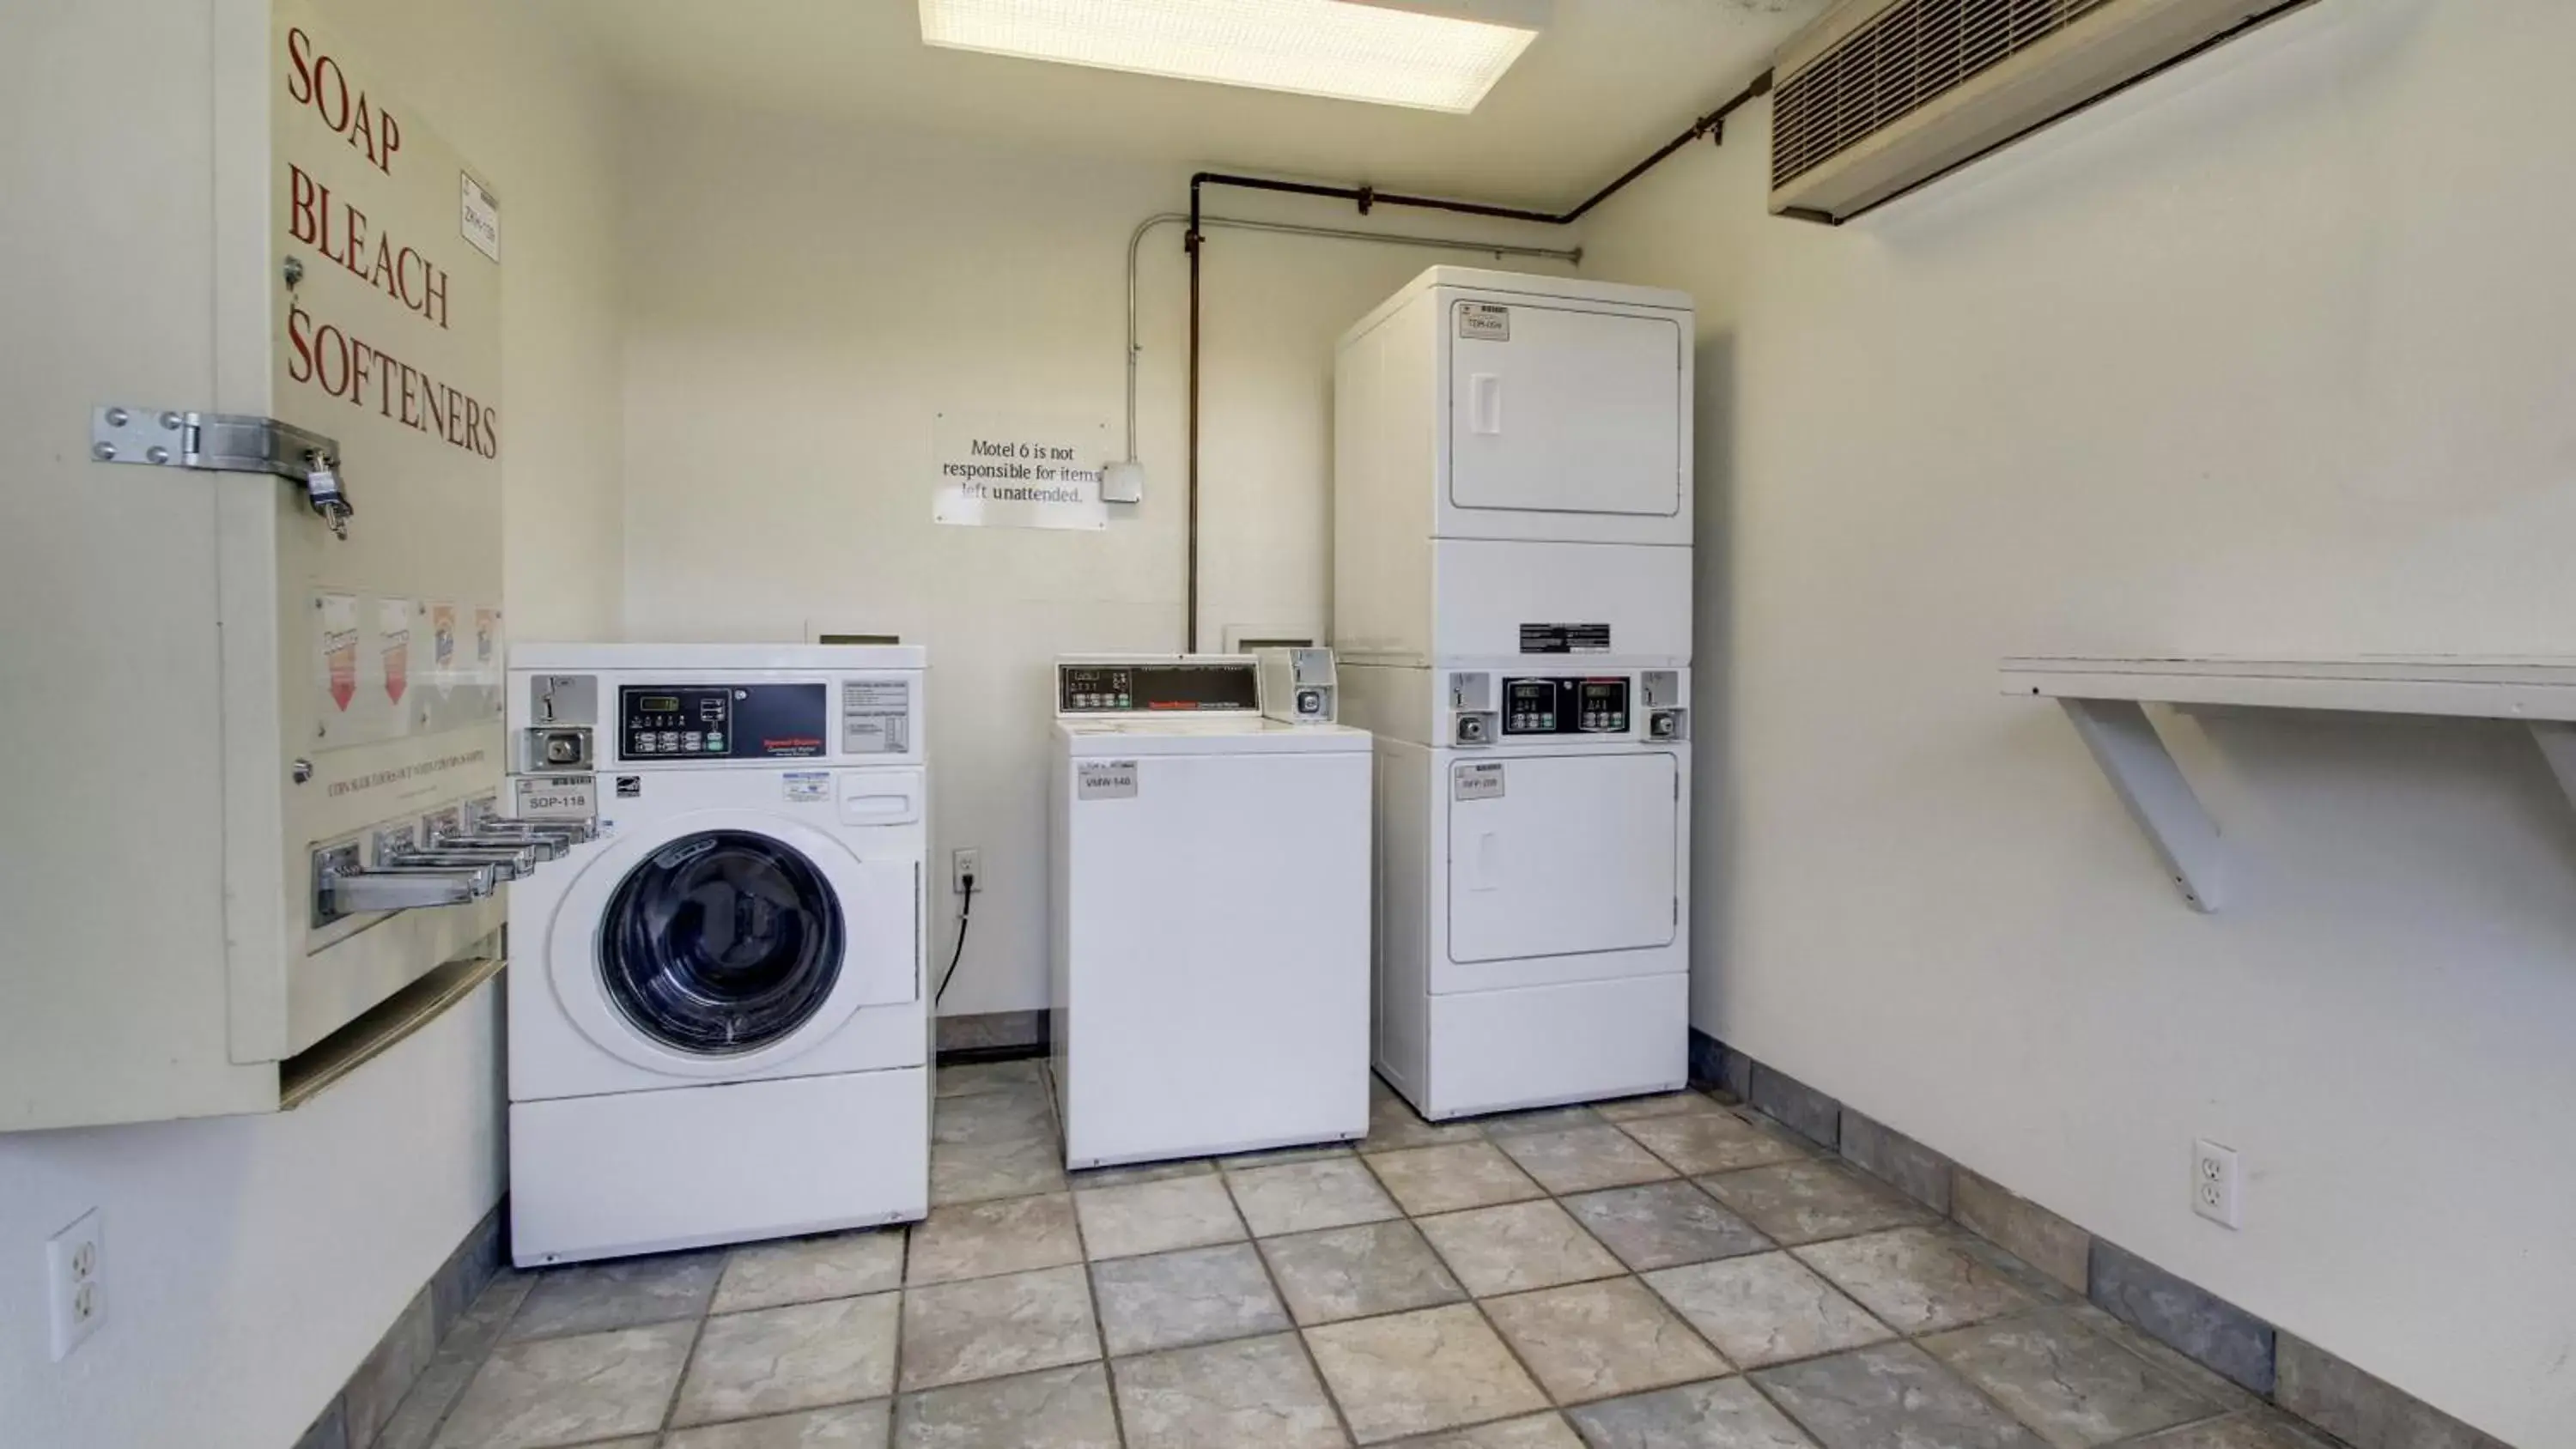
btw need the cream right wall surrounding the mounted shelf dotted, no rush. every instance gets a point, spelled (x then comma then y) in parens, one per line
(2266, 356)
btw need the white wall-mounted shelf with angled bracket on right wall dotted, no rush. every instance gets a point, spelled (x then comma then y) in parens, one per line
(2106, 701)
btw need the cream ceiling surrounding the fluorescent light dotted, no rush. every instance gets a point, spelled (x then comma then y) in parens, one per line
(1606, 84)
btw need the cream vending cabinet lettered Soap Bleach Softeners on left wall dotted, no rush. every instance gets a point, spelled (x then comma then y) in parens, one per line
(256, 501)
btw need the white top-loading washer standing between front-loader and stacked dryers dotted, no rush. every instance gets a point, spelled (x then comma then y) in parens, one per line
(1209, 915)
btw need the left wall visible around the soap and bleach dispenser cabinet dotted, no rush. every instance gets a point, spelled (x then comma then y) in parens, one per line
(254, 1262)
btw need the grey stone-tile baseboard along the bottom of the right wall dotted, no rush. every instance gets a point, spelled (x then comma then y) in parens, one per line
(2222, 1337)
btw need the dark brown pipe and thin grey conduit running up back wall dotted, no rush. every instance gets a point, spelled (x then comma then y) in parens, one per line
(1367, 199)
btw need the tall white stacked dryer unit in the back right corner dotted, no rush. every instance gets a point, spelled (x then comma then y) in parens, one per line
(1513, 624)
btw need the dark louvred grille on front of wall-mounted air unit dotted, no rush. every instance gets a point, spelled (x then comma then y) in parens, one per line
(1897, 66)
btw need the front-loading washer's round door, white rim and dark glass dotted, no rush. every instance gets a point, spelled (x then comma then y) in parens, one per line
(728, 943)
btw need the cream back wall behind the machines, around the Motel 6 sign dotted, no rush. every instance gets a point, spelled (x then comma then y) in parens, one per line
(802, 300)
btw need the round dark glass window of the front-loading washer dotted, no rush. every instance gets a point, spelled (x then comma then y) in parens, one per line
(723, 943)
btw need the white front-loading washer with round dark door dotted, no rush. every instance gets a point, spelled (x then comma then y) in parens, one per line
(717, 1018)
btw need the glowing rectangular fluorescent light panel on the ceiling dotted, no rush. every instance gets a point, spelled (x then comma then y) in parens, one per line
(1395, 53)
